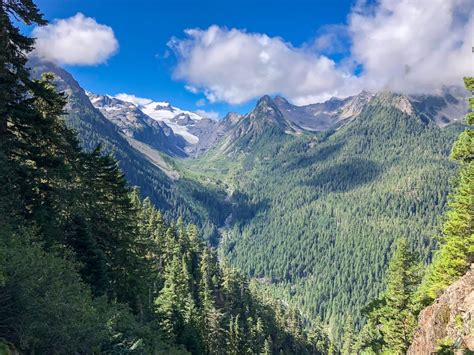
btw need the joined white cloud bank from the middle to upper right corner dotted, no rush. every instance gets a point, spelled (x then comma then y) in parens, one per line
(403, 45)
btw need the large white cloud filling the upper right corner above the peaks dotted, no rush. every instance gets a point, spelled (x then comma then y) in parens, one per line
(413, 46)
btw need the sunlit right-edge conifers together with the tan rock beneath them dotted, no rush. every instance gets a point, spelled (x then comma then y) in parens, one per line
(439, 295)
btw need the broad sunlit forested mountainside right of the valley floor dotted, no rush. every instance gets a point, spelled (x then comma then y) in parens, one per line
(327, 207)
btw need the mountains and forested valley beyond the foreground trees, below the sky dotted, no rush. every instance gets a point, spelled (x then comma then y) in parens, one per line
(306, 199)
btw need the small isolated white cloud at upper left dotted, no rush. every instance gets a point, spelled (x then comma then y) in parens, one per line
(78, 40)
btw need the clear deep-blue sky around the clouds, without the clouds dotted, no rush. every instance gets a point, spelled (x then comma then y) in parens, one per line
(143, 29)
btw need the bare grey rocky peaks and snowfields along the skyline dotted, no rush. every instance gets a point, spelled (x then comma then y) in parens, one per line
(183, 133)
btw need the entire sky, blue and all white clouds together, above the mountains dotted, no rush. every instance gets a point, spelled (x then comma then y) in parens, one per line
(221, 56)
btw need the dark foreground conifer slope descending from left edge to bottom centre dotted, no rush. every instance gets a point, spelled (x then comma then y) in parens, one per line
(86, 266)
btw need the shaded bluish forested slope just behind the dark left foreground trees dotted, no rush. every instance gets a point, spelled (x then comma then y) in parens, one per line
(185, 198)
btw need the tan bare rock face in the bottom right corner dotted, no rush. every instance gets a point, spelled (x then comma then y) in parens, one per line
(450, 319)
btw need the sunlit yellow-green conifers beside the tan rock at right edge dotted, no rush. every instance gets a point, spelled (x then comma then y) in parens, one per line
(392, 317)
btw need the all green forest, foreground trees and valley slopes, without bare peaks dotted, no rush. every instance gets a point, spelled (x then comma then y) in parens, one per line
(87, 266)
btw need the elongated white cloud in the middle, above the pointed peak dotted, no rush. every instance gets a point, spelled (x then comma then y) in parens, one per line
(236, 66)
